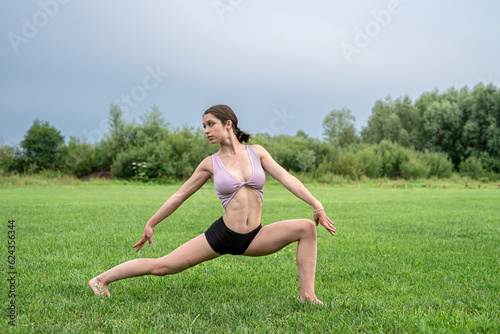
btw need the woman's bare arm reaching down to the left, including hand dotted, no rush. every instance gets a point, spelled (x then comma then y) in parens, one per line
(195, 182)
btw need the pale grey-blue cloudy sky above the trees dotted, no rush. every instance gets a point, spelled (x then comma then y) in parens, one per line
(281, 65)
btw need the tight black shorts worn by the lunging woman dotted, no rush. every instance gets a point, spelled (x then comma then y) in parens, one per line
(224, 241)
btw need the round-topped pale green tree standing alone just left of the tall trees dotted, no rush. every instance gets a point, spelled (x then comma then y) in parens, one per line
(339, 128)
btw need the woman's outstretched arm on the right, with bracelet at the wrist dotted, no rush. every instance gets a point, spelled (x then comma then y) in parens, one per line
(296, 187)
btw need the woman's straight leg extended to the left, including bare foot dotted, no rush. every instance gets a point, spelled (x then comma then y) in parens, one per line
(190, 254)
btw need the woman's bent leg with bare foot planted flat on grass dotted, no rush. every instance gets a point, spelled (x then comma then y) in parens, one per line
(271, 238)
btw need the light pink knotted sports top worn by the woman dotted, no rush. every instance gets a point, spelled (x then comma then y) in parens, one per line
(227, 185)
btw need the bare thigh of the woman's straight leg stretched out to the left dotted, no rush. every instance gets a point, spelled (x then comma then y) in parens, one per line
(191, 253)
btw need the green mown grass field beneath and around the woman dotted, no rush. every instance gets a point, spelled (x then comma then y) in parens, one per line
(412, 260)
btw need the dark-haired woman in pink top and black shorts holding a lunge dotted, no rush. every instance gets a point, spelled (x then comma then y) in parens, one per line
(237, 171)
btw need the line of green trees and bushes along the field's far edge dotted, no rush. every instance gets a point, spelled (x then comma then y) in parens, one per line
(439, 134)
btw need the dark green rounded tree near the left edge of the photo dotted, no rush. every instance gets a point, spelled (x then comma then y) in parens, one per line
(40, 145)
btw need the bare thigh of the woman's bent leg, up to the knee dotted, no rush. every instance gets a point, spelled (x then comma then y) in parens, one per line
(273, 237)
